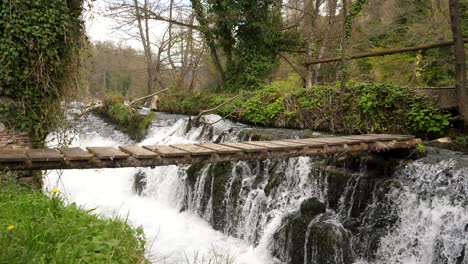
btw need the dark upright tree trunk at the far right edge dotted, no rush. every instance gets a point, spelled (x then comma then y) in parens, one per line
(460, 62)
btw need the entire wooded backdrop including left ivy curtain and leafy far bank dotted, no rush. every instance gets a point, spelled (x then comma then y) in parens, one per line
(265, 53)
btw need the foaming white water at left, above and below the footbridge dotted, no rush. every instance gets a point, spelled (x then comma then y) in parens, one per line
(172, 235)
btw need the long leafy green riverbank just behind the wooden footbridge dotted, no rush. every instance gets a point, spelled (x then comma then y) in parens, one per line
(364, 108)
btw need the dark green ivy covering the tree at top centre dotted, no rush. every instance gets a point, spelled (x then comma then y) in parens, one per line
(249, 33)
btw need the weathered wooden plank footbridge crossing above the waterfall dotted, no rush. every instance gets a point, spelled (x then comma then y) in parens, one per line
(159, 155)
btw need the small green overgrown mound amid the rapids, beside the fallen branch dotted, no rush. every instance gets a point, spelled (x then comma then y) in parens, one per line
(126, 119)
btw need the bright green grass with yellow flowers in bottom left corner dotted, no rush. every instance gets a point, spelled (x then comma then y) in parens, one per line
(39, 228)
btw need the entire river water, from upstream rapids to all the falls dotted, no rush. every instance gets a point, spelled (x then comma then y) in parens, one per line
(420, 212)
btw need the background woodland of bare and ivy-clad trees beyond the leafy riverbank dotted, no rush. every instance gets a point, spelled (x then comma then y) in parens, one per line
(243, 45)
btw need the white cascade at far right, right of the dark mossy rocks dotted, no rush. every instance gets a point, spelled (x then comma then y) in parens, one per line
(433, 215)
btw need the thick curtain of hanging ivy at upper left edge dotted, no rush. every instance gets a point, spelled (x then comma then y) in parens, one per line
(39, 52)
